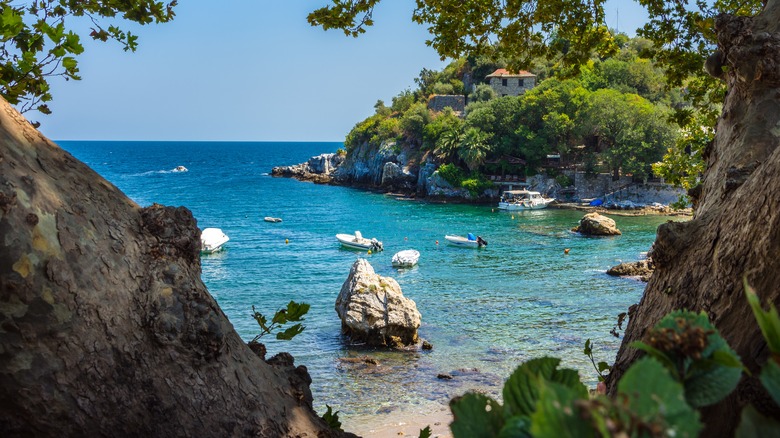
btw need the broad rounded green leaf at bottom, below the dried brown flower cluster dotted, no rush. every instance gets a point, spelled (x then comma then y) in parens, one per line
(656, 398)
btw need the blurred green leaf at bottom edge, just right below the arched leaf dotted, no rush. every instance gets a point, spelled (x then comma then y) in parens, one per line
(556, 414)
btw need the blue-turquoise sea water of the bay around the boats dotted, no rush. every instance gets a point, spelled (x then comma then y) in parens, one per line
(485, 311)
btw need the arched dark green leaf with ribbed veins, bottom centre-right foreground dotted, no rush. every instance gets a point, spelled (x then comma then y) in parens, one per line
(521, 390)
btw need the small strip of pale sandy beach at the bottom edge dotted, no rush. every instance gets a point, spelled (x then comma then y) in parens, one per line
(409, 424)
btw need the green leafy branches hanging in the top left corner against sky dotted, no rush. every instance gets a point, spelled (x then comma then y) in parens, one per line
(37, 42)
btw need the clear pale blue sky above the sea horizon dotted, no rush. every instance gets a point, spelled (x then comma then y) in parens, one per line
(249, 70)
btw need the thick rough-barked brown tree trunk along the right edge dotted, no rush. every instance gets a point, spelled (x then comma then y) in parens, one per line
(735, 231)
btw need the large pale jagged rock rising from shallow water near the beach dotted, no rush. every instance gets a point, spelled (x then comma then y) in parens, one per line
(374, 310)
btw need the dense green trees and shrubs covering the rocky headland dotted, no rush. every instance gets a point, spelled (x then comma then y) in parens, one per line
(615, 114)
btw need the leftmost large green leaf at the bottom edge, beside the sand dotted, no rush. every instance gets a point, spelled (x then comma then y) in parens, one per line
(476, 416)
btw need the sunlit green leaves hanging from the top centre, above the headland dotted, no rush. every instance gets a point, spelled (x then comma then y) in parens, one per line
(517, 30)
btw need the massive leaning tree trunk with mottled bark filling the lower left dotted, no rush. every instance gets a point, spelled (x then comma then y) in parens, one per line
(105, 326)
